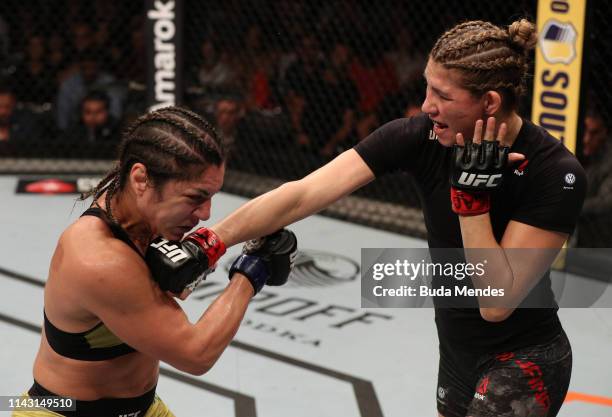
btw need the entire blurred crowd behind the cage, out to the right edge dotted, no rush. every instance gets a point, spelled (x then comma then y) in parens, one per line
(288, 84)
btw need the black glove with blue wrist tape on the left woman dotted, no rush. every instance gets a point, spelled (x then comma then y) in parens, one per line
(267, 260)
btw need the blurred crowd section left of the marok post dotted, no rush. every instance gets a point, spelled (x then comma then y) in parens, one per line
(66, 74)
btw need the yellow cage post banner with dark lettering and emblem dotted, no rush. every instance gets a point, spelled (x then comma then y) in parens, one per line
(559, 55)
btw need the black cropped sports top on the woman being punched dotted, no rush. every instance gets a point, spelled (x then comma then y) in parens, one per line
(98, 343)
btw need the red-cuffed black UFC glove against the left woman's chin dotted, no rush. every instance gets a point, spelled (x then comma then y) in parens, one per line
(179, 266)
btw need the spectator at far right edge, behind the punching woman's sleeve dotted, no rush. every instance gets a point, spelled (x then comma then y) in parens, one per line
(595, 222)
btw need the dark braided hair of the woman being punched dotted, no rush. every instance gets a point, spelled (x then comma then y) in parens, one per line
(173, 143)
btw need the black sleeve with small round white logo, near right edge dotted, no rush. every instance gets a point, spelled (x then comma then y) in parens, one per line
(554, 197)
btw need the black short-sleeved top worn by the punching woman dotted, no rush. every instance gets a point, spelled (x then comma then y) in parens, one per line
(547, 192)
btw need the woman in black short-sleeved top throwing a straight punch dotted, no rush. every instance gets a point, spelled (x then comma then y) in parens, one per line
(495, 360)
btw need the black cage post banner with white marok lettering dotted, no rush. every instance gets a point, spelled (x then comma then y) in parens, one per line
(164, 37)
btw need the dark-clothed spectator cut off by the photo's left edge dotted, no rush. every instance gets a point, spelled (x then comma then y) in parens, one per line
(16, 125)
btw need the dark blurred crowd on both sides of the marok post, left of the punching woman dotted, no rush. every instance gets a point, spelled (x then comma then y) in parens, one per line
(311, 80)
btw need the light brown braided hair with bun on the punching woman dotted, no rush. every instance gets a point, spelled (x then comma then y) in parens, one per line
(489, 57)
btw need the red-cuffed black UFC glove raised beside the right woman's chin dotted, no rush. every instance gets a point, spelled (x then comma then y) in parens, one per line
(476, 170)
